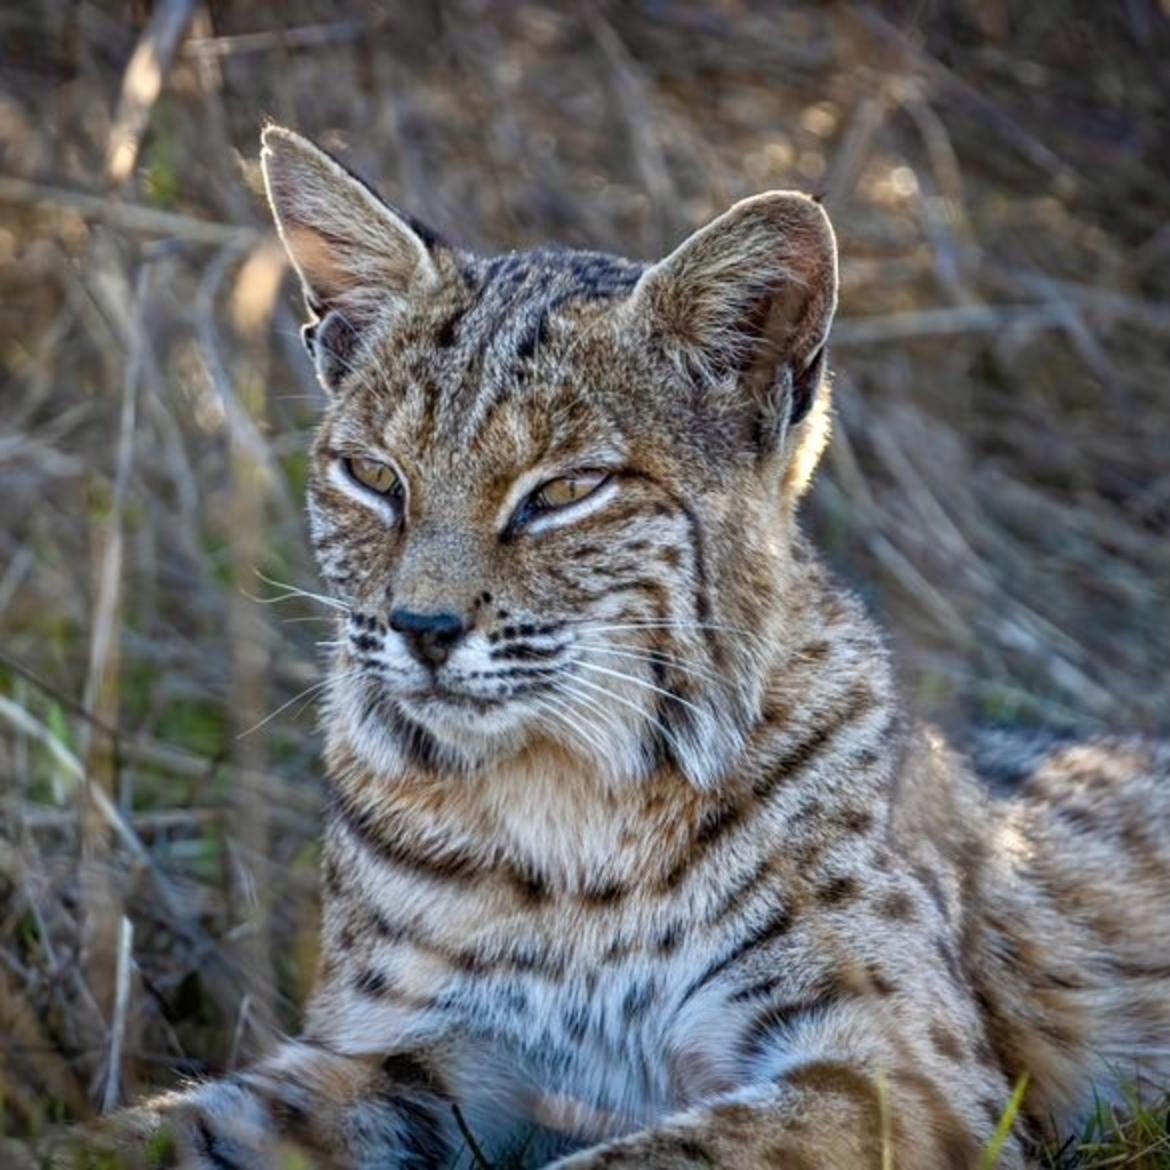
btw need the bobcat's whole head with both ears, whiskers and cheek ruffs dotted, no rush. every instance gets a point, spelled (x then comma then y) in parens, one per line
(555, 490)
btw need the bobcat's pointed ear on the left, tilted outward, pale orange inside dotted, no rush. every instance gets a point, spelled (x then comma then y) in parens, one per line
(360, 260)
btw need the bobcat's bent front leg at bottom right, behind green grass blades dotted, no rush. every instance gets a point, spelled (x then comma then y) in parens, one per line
(825, 1114)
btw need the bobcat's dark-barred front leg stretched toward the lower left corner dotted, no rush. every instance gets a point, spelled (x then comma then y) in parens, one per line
(341, 1113)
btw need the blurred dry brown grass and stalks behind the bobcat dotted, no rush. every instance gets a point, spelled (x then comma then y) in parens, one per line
(999, 486)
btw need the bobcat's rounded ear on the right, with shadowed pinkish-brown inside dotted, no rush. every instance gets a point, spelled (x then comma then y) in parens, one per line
(748, 300)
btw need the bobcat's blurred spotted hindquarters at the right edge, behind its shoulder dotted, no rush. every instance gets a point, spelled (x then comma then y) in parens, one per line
(1071, 941)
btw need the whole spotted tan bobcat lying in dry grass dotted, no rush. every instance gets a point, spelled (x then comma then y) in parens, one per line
(632, 858)
